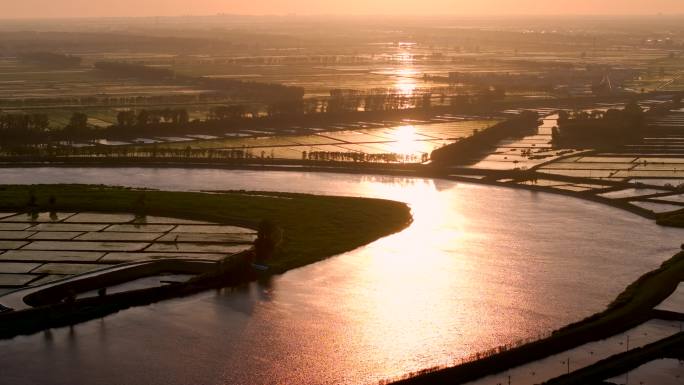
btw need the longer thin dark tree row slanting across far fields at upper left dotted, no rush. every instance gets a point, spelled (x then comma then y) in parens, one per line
(266, 92)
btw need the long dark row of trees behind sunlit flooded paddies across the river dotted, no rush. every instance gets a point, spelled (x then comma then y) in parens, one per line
(130, 124)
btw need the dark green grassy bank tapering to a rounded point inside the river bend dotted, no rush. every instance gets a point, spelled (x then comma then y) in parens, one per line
(314, 227)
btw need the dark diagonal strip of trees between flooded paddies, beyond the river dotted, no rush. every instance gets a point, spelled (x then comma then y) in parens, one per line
(470, 149)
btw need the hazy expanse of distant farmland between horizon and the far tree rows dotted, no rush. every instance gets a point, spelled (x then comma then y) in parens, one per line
(407, 60)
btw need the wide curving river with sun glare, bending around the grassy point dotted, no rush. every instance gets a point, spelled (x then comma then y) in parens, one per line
(479, 267)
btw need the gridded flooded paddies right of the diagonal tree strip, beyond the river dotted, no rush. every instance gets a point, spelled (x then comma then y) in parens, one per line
(647, 176)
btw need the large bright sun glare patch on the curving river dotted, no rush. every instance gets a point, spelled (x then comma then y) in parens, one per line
(406, 281)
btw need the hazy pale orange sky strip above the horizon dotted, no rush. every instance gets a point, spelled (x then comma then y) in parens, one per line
(88, 8)
